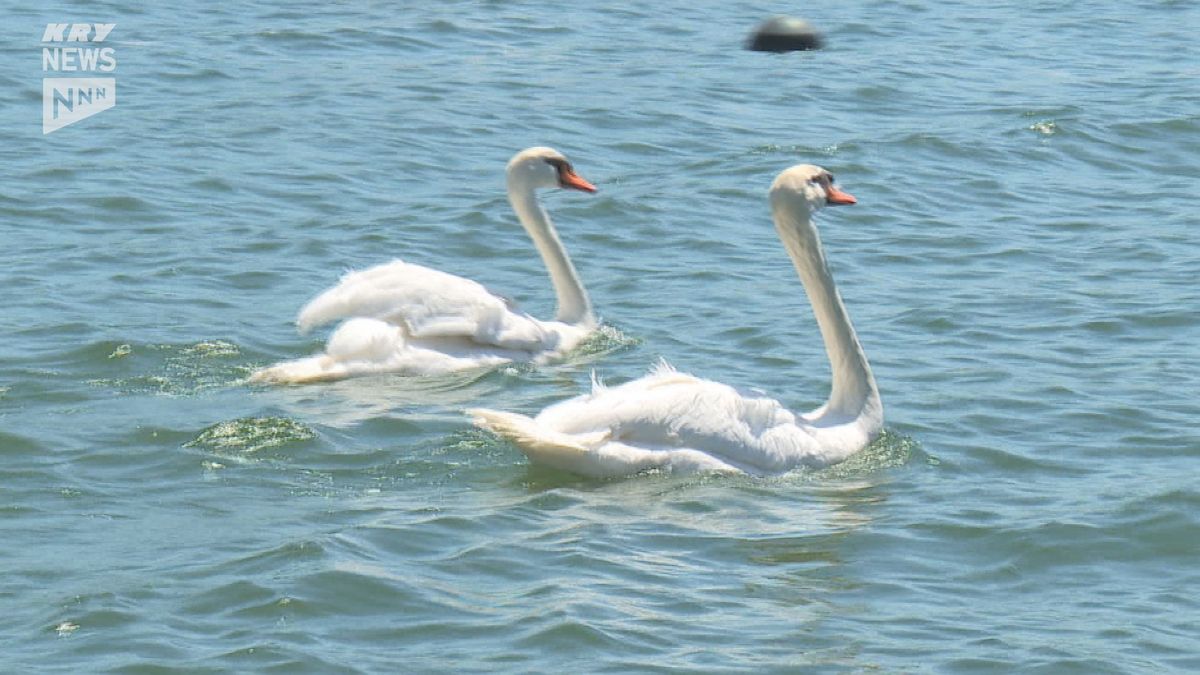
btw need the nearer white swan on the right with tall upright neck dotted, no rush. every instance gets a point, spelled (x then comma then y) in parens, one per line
(675, 422)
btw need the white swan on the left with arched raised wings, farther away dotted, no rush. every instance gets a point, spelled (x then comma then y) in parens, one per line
(409, 319)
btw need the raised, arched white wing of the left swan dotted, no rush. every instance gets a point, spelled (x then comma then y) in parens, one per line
(428, 304)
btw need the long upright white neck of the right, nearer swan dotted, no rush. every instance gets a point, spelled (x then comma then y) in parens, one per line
(854, 396)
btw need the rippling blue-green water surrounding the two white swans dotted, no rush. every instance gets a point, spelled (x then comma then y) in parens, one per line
(1022, 267)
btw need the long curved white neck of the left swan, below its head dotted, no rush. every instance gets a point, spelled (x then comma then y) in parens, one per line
(574, 307)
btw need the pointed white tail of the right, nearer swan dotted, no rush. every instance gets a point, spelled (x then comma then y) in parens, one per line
(541, 445)
